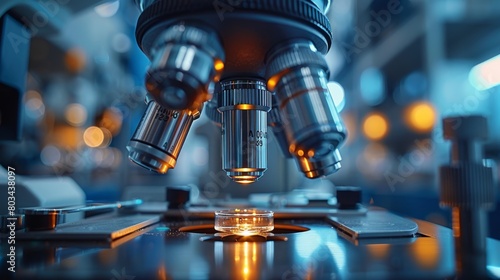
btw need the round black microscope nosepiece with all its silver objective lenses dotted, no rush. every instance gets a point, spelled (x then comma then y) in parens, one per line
(267, 55)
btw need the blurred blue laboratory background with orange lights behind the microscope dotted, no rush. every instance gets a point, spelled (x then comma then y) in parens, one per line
(397, 67)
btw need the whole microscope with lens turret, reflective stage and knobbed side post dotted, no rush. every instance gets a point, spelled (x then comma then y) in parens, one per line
(253, 67)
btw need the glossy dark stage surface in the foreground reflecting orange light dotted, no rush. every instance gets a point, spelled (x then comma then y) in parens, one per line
(320, 253)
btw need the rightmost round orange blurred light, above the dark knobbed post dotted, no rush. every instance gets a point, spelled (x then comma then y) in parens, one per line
(420, 116)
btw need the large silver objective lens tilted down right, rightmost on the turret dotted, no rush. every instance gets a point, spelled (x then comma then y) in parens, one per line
(313, 128)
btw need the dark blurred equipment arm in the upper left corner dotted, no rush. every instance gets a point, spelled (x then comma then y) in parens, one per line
(19, 22)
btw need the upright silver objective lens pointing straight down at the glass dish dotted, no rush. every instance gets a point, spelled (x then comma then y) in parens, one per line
(244, 106)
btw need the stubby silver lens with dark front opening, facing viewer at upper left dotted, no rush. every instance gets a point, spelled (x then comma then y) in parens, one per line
(184, 60)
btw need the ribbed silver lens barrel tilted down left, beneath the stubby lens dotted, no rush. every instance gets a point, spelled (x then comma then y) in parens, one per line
(159, 137)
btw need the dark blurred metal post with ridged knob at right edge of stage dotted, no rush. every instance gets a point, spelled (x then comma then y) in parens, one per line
(467, 187)
